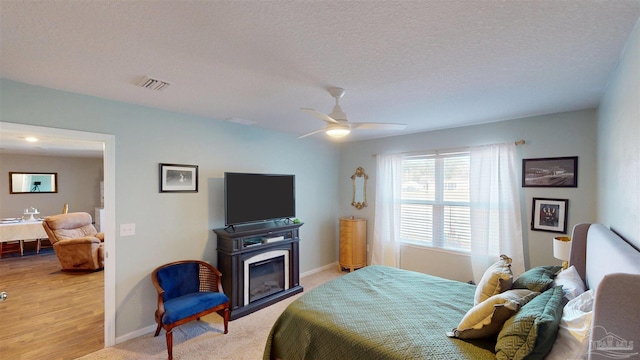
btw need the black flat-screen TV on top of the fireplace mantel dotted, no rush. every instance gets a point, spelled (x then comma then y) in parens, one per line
(252, 198)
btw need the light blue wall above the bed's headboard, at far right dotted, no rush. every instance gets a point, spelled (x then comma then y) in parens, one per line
(618, 145)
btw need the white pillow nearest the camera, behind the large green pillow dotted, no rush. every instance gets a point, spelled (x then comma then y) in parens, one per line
(575, 327)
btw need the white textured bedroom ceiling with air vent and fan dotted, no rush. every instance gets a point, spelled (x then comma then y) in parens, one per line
(430, 64)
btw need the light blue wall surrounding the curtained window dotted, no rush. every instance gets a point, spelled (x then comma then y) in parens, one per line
(564, 134)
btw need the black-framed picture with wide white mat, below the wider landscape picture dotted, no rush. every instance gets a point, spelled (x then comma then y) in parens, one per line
(549, 215)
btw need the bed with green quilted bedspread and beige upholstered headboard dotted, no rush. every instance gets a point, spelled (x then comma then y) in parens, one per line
(385, 313)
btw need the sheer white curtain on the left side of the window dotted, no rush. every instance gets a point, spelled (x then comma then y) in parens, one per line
(386, 227)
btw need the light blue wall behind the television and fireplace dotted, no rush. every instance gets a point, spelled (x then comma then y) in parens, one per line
(173, 226)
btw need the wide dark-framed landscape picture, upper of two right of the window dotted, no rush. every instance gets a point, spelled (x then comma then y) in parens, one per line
(550, 172)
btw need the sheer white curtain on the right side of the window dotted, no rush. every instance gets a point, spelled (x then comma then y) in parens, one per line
(496, 226)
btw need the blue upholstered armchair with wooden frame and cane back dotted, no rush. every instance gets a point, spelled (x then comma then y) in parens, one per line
(187, 290)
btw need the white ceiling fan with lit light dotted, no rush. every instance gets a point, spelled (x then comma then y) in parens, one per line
(337, 124)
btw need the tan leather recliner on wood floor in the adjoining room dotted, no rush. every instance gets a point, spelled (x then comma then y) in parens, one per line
(75, 241)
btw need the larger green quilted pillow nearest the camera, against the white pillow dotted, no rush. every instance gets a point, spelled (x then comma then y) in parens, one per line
(531, 332)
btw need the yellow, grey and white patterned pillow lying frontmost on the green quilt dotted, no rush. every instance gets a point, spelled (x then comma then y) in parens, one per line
(486, 319)
